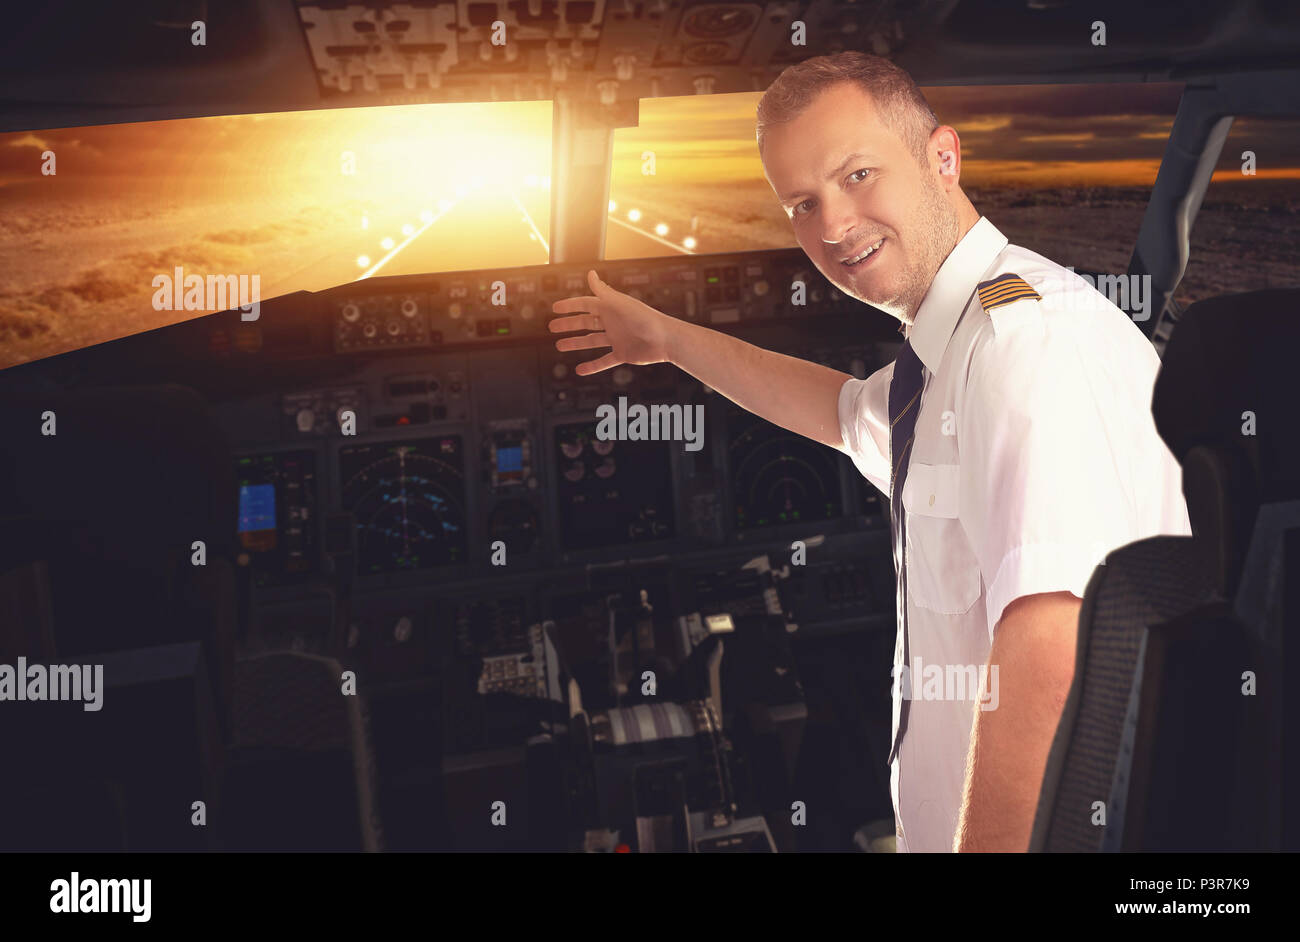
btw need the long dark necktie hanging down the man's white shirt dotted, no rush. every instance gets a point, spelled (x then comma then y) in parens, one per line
(904, 405)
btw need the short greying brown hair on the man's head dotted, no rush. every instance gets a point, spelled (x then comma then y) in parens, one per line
(899, 102)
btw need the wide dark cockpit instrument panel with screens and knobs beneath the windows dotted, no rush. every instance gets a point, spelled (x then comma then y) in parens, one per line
(461, 441)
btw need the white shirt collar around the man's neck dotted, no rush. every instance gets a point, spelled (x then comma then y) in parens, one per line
(952, 290)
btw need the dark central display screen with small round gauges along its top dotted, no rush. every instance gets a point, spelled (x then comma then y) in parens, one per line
(612, 493)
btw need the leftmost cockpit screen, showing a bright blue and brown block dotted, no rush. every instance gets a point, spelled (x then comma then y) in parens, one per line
(278, 515)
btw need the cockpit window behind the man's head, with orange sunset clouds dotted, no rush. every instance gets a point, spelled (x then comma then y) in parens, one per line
(1065, 171)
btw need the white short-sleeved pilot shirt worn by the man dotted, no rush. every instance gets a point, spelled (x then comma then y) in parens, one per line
(1035, 455)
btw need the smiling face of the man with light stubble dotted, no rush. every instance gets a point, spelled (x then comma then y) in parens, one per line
(847, 183)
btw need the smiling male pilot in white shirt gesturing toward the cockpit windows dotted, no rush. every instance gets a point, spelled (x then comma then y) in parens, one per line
(1012, 435)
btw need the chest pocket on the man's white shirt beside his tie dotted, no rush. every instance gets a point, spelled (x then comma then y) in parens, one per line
(943, 572)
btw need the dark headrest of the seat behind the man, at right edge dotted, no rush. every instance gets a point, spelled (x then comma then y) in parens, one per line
(1232, 370)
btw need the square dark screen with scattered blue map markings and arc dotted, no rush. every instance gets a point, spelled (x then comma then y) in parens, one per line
(409, 501)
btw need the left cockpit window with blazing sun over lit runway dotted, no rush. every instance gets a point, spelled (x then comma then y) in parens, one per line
(105, 229)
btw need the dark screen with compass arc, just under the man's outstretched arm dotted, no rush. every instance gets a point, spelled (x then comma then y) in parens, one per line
(779, 477)
